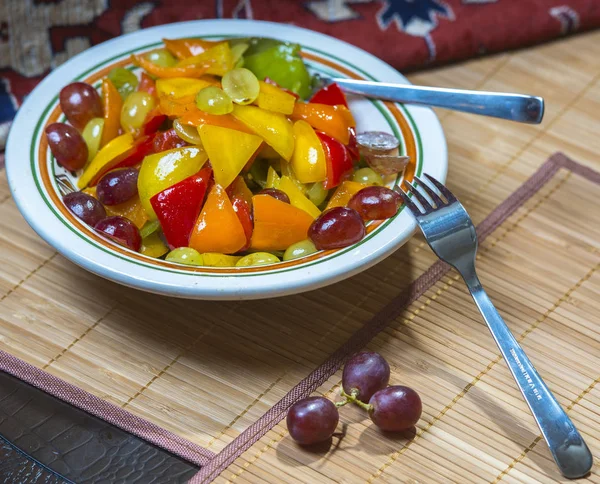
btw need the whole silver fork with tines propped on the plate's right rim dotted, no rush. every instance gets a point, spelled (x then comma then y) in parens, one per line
(449, 231)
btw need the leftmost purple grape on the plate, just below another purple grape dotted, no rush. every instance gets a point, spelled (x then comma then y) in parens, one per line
(67, 146)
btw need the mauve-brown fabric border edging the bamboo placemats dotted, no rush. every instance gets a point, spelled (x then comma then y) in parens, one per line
(213, 464)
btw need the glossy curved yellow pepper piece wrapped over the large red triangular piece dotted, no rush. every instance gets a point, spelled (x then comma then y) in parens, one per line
(162, 170)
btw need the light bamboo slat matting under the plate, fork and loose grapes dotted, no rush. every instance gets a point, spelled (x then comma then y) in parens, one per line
(202, 373)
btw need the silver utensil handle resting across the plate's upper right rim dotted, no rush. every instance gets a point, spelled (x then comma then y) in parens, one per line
(514, 107)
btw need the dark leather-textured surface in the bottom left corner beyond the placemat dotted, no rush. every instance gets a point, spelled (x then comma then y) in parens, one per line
(75, 445)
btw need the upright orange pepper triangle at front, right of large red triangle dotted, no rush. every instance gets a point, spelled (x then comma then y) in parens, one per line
(218, 228)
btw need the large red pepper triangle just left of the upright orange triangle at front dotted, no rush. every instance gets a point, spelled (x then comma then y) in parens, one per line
(179, 206)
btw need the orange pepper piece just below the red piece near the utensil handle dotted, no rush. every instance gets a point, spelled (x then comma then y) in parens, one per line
(335, 121)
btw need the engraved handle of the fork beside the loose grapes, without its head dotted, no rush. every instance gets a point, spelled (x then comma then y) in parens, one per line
(568, 448)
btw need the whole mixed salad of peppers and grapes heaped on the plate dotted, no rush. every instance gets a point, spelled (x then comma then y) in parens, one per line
(222, 154)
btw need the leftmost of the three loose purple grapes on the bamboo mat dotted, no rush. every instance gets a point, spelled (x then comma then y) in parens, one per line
(312, 420)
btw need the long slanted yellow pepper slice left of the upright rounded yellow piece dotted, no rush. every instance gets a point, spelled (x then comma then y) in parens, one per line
(274, 128)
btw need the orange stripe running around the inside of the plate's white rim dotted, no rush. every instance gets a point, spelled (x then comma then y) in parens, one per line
(407, 134)
